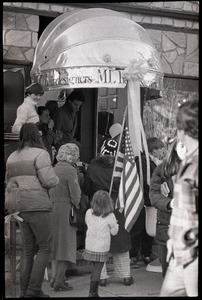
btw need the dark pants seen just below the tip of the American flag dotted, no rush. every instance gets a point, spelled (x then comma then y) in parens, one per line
(141, 241)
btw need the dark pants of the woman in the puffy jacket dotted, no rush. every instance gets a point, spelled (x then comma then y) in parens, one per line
(35, 230)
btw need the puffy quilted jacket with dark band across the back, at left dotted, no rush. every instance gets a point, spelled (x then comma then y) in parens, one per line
(29, 173)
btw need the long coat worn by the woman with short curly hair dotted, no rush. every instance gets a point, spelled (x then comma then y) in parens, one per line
(66, 192)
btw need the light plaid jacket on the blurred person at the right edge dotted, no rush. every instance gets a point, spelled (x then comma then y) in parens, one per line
(183, 231)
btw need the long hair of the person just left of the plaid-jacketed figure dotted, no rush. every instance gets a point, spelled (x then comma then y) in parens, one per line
(171, 161)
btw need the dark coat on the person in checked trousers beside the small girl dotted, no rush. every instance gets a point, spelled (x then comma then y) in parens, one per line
(98, 177)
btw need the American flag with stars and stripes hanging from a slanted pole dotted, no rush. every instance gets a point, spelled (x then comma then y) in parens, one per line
(130, 192)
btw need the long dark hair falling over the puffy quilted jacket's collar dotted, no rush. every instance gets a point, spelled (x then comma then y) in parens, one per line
(30, 136)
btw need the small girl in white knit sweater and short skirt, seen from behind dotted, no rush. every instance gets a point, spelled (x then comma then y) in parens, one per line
(101, 223)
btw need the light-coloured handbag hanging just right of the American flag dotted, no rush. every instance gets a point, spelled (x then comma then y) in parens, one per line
(151, 219)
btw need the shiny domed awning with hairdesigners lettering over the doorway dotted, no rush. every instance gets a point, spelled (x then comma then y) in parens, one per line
(92, 38)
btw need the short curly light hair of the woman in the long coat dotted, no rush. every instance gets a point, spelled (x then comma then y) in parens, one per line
(68, 152)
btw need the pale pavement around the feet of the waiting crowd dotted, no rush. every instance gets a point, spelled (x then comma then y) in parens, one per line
(146, 283)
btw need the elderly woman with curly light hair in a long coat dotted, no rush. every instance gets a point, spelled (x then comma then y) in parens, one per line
(67, 193)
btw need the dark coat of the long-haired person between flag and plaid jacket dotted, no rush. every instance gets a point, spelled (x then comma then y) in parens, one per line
(161, 203)
